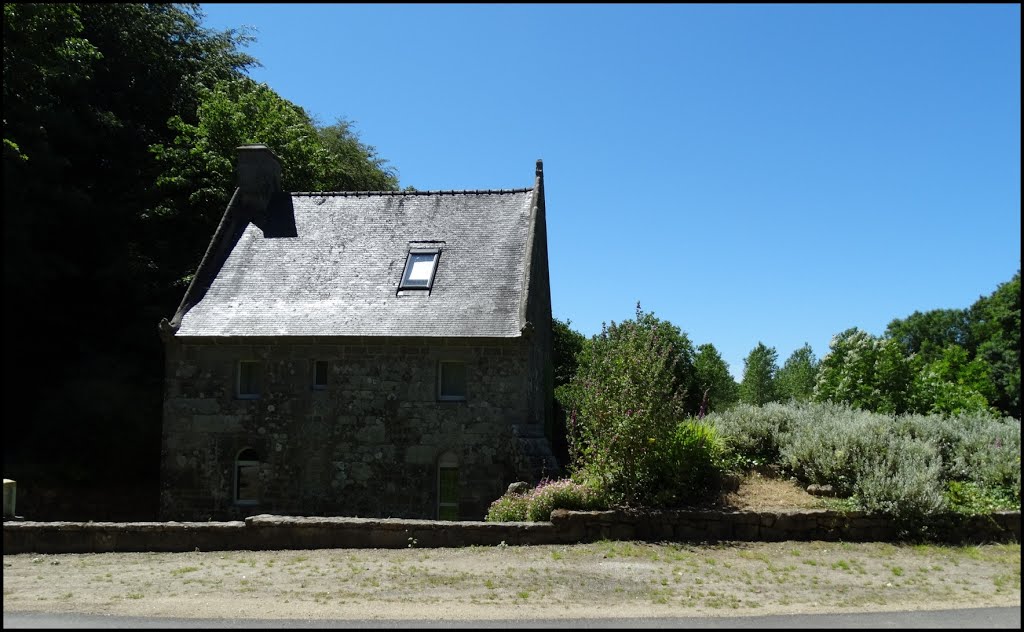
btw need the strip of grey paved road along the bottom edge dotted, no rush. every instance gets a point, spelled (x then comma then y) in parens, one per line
(987, 618)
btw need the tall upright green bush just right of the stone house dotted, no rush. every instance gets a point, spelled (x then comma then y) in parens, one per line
(625, 402)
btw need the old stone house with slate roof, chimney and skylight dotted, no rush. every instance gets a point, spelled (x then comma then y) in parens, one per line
(375, 355)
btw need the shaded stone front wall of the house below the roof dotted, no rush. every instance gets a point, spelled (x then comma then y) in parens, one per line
(368, 445)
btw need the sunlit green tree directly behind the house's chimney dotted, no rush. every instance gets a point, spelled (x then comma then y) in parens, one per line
(199, 164)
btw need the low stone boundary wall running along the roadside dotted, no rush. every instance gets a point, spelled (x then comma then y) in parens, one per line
(278, 533)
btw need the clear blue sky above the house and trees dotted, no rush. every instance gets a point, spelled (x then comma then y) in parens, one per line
(748, 173)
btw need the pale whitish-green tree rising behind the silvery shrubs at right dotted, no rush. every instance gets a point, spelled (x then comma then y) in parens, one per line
(866, 372)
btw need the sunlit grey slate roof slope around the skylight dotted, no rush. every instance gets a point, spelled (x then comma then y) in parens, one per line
(339, 275)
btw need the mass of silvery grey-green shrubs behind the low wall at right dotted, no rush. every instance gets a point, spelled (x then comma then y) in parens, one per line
(903, 467)
